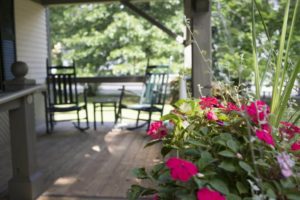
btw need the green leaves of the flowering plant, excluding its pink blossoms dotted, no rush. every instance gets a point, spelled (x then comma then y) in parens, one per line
(229, 156)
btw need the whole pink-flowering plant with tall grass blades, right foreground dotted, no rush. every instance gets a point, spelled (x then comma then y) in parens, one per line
(229, 145)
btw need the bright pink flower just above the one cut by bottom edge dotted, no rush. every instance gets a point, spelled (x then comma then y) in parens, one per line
(181, 169)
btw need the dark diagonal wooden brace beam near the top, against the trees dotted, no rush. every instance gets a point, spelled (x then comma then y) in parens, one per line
(149, 18)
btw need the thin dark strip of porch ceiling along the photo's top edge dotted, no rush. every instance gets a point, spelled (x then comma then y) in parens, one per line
(52, 2)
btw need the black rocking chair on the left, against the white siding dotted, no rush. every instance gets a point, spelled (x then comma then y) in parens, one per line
(63, 96)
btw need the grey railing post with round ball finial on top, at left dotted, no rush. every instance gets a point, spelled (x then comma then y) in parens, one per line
(26, 181)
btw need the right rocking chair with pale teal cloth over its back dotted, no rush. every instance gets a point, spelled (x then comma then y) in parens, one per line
(153, 97)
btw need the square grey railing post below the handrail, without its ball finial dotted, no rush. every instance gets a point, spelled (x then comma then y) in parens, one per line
(26, 181)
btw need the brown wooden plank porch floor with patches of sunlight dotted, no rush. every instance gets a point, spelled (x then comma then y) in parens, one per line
(92, 165)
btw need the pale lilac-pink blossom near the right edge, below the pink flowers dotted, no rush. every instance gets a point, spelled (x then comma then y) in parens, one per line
(286, 164)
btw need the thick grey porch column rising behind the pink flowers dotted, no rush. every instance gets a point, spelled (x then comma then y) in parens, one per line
(199, 13)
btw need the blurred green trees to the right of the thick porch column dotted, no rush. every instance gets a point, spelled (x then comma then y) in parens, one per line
(232, 38)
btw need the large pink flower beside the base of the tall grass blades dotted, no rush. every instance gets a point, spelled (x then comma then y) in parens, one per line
(258, 111)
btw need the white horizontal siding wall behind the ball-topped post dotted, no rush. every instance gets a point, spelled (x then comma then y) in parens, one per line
(31, 43)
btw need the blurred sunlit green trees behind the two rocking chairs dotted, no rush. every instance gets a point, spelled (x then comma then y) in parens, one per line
(98, 36)
